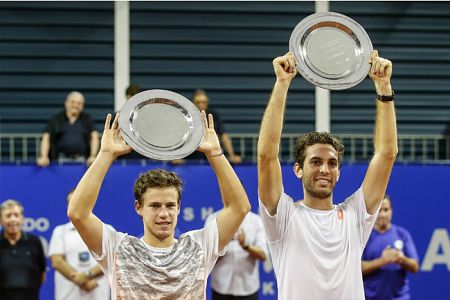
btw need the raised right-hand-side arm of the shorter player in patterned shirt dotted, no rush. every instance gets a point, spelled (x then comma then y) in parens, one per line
(234, 197)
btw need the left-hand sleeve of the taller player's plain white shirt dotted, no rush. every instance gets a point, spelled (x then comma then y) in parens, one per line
(275, 226)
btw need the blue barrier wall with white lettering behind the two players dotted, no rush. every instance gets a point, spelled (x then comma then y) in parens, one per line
(420, 194)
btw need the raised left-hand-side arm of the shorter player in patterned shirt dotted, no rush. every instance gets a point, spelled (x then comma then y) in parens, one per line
(85, 195)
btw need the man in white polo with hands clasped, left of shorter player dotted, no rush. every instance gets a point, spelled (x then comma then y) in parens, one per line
(77, 274)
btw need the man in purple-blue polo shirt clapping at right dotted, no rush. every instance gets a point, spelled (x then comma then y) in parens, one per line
(389, 254)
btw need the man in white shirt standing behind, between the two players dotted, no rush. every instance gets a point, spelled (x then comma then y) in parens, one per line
(236, 274)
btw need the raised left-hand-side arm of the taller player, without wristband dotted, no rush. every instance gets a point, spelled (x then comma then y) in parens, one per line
(269, 169)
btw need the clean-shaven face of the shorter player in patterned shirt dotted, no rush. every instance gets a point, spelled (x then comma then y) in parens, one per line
(159, 212)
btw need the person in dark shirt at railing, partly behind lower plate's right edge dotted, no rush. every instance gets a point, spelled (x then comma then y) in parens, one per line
(201, 100)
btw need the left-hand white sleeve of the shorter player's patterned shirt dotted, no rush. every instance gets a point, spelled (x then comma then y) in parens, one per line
(110, 241)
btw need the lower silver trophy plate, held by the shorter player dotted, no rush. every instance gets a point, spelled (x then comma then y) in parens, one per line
(161, 125)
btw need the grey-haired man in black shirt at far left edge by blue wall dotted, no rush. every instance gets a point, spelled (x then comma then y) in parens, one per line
(22, 258)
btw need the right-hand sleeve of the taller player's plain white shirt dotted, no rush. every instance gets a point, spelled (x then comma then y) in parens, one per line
(365, 221)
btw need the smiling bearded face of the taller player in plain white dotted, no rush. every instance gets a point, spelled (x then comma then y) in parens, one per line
(320, 171)
